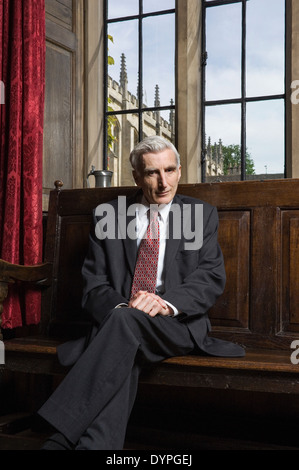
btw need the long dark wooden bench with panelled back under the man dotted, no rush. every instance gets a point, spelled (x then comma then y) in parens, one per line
(259, 236)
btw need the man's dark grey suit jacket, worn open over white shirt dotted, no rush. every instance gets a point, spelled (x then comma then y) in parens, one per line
(194, 278)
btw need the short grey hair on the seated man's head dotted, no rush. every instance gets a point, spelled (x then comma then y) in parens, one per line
(152, 144)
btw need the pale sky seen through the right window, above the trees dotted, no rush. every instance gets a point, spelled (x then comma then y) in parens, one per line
(264, 76)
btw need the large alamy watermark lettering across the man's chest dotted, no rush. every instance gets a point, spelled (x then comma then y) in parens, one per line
(184, 222)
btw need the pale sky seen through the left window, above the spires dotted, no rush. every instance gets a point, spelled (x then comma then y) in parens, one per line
(158, 48)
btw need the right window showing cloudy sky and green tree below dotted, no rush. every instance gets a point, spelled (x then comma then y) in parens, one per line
(243, 89)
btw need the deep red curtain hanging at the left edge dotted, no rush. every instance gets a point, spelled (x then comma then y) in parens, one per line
(22, 72)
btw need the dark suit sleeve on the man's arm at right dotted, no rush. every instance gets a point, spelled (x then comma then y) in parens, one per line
(197, 291)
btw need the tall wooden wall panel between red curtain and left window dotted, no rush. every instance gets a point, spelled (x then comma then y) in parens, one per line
(63, 122)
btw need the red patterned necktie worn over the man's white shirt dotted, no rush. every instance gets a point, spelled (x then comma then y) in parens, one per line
(145, 276)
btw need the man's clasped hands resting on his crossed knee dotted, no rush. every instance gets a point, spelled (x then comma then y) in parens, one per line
(150, 303)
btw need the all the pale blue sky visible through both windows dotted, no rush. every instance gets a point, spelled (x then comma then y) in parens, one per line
(265, 69)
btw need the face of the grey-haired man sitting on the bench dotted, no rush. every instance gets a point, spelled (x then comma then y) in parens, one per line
(158, 177)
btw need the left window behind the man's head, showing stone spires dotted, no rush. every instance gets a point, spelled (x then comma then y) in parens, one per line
(139, 79)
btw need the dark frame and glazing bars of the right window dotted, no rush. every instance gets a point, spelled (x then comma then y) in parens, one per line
(243, 100)
